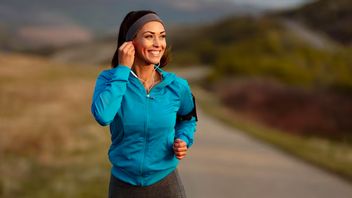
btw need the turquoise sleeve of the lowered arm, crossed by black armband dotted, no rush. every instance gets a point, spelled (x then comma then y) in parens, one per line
(185, 129)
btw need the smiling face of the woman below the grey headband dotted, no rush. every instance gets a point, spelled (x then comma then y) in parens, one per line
(150, 43)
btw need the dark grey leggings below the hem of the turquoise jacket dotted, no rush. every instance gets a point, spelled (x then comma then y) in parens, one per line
(169, 187)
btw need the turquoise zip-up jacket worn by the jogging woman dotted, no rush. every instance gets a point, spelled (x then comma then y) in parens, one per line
(143, 125)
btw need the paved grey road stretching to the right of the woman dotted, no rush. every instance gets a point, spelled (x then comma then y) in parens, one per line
(226, 163)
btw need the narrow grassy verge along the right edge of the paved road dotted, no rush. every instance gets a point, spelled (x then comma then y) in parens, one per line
(335, 157)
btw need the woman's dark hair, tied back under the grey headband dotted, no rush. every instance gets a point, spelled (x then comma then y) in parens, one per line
(127, 22)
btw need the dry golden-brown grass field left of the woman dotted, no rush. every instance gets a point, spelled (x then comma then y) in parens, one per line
(50, 144)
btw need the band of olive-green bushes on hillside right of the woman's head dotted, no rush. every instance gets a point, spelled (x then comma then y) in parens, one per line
(262, 47)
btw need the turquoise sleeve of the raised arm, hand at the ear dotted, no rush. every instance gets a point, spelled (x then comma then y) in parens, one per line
(109, 90)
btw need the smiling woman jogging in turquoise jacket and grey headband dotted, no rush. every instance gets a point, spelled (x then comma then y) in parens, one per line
(151, 112)
